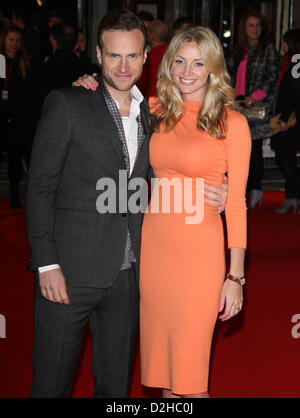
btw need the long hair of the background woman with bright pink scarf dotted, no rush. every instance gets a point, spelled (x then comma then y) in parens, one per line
(242, 41)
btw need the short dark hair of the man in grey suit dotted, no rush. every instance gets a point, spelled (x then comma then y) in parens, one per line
(123, 21)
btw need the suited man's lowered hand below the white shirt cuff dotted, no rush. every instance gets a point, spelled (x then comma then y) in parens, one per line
(53, 286)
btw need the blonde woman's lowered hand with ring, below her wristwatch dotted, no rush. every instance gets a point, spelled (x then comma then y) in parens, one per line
(231, 299)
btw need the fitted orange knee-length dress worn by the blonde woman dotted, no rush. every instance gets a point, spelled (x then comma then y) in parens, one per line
(183, 264)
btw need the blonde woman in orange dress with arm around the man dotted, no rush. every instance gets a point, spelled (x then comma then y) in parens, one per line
(182, 286)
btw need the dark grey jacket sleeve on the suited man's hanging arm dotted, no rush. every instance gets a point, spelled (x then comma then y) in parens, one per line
(46, 166)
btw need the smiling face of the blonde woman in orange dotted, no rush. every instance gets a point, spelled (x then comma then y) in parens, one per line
(189, 73)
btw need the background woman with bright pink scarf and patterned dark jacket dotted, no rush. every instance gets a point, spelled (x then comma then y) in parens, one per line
(254, 68)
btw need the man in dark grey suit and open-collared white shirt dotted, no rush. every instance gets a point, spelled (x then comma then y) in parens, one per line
(86, 263)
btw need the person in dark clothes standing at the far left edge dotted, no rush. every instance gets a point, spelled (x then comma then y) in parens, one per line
(14, 107)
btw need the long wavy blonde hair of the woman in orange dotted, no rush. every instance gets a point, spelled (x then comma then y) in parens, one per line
(212, 116)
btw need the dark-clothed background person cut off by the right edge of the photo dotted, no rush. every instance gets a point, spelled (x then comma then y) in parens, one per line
(287, 141)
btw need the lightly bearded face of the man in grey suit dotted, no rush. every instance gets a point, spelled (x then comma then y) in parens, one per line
(122, 58)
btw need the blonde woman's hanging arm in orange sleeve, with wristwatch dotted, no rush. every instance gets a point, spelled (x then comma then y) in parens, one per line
(238, 149)
